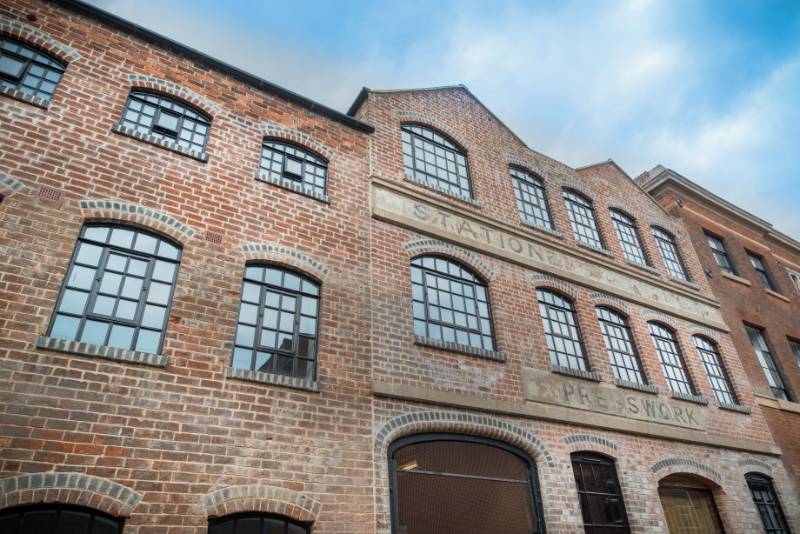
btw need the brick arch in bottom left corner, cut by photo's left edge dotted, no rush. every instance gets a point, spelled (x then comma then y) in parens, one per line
(69, 488)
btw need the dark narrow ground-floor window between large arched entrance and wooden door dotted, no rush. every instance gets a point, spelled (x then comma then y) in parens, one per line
(599, 493)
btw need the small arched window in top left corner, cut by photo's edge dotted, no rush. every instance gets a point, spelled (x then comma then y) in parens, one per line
(28, 70)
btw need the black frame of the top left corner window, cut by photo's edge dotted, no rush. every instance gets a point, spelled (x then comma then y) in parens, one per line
(40, 59)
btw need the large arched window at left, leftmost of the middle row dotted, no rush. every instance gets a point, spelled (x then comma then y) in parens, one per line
(118, 289)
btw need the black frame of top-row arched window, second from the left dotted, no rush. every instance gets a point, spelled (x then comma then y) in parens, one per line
(163, 105)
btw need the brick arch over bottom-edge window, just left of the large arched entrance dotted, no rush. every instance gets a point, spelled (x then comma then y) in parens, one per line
(261, 498)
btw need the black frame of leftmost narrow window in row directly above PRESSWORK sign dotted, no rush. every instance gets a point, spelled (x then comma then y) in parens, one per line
(549, 312)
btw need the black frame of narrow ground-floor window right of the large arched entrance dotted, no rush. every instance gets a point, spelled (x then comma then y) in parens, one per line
(589, 458)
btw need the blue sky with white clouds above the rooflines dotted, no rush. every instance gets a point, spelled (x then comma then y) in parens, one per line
(710, 89)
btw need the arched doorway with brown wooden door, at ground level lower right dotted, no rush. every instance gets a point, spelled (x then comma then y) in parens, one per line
(688, 504)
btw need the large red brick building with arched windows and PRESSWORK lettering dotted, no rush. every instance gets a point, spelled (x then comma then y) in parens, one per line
(227, 308)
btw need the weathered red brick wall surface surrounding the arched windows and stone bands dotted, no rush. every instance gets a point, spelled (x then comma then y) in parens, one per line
(168, 441)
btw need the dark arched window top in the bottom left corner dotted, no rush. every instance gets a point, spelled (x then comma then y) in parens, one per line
(41, 519)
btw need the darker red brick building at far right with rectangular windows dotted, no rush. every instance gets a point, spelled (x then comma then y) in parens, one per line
(754, 271)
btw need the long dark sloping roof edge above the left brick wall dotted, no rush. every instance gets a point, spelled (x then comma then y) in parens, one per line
(83, 8)
